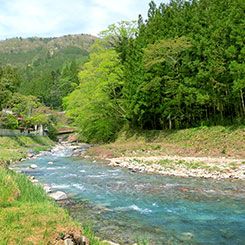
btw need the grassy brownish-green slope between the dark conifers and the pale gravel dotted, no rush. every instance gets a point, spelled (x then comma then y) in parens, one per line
(215, 141)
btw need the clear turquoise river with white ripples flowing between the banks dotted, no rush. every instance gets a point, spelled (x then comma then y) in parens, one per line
(127, 207)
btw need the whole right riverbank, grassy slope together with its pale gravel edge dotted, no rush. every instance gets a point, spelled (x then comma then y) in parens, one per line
(216, 152)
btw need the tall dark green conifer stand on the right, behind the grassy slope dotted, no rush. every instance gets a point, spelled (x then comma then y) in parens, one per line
(185, 67)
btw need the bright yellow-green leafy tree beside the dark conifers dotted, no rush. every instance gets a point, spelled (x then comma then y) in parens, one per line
(95, 105)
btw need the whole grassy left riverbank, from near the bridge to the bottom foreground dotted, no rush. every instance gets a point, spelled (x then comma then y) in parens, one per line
(27, 214)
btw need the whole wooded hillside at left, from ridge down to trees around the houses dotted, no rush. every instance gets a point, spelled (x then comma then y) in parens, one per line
(35, 75)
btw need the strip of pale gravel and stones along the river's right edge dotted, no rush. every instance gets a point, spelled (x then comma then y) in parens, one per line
(203, 167)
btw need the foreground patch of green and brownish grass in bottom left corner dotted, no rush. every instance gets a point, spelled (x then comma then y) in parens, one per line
(27, 216)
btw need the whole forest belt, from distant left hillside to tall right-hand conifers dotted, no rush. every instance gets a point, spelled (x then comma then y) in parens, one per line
(181, 67)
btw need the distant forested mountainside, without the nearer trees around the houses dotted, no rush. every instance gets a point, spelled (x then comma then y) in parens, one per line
(47, 66)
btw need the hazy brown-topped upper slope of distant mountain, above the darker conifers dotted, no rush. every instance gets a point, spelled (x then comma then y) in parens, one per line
(36, 51)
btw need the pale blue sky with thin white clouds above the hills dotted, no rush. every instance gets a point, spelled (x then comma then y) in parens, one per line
(50, 18)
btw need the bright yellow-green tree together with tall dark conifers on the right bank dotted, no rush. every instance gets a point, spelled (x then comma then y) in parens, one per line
(181, 67)
